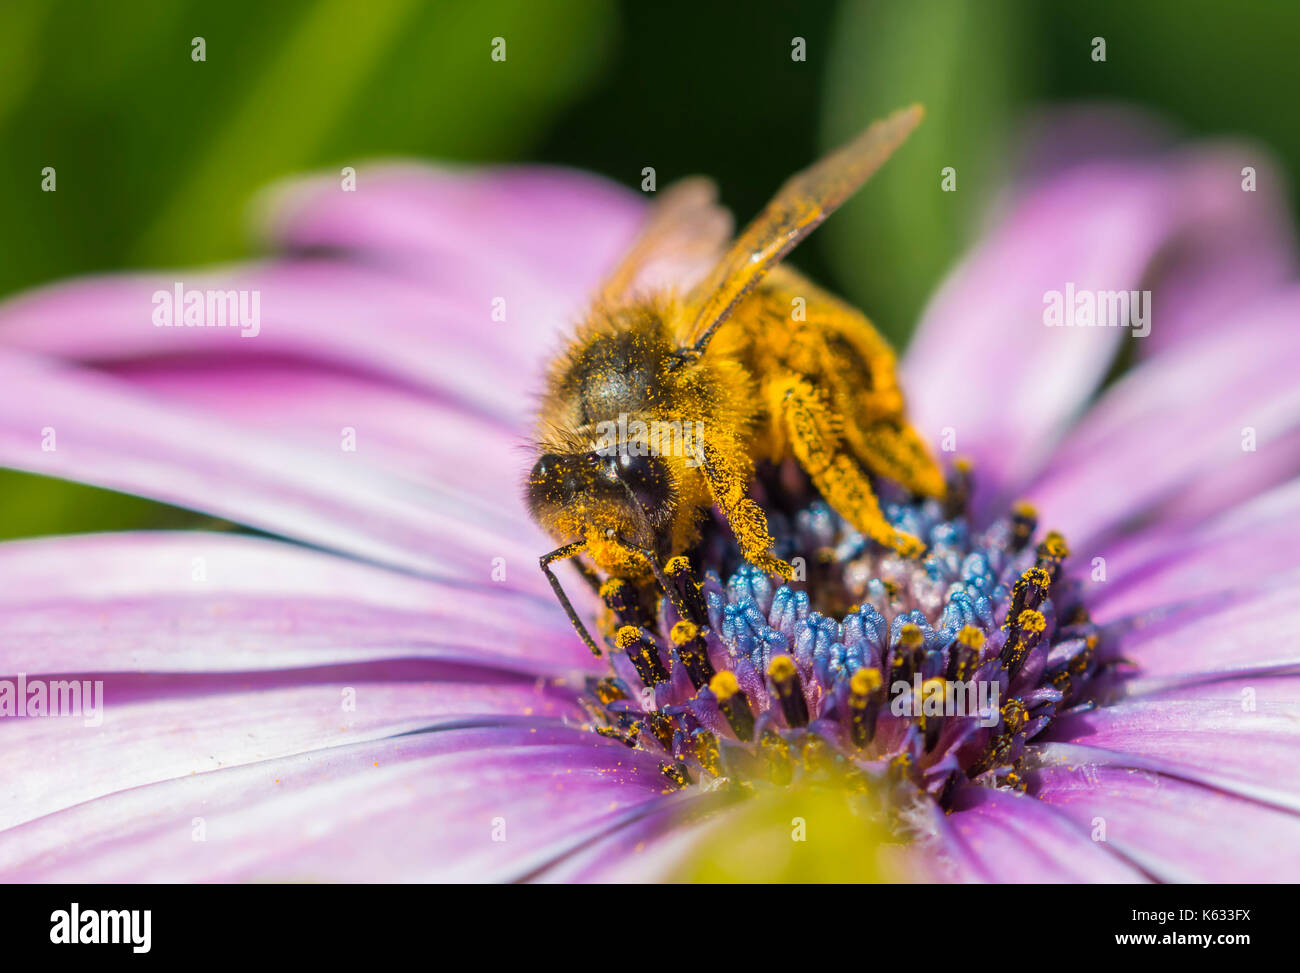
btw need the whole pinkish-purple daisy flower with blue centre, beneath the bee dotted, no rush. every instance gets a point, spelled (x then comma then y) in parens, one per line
(375, 682)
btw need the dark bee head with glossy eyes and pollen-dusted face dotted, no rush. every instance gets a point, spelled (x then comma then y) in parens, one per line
(621, 488)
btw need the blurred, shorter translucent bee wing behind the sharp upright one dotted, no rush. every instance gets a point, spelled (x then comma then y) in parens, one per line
(683, 237)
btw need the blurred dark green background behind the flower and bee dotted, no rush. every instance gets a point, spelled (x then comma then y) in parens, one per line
(158, 157)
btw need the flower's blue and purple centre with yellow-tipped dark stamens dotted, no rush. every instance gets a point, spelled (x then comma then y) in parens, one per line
(869, 669)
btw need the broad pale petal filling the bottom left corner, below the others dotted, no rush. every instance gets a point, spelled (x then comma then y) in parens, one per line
(413, 808)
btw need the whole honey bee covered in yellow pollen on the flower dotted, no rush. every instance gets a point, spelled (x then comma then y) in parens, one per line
(753, 364)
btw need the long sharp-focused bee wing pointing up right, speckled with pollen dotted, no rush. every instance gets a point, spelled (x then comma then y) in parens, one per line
(799, 207)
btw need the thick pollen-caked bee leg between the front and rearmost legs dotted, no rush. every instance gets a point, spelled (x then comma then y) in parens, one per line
(837, 473)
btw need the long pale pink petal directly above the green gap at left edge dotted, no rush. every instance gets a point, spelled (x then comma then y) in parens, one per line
(111, 436)
